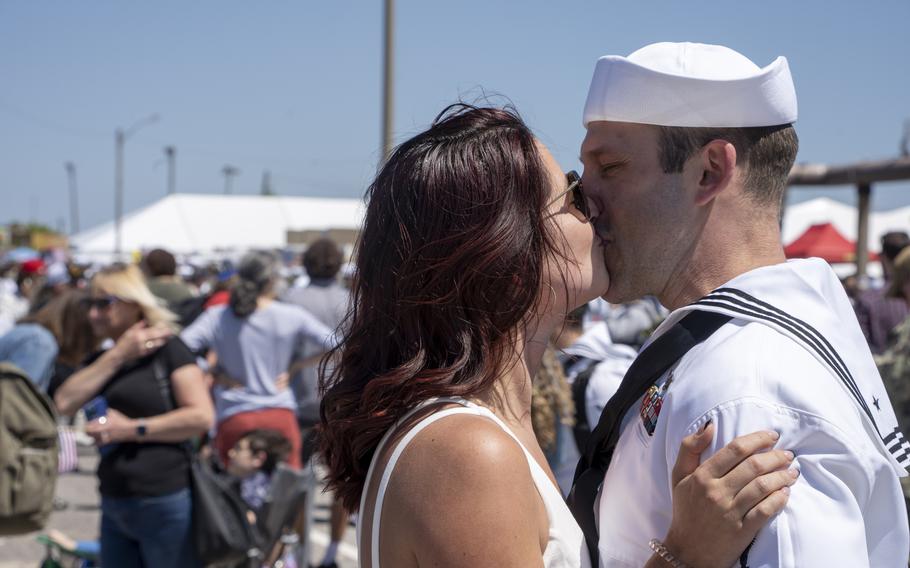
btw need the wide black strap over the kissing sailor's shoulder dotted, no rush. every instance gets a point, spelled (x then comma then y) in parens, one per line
(647, 368)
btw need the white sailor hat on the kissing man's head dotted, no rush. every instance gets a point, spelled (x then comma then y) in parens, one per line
(690, 84)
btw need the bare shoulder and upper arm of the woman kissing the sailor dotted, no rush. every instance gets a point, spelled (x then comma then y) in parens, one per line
(460, 481)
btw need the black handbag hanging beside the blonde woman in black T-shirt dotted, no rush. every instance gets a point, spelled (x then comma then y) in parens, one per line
(222, 533)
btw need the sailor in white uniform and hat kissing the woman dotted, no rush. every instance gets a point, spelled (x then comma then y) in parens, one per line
(686, 158)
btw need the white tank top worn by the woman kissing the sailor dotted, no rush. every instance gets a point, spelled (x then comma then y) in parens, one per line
(565, 544)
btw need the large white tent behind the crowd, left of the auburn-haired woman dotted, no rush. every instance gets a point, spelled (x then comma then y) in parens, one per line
(211, 224)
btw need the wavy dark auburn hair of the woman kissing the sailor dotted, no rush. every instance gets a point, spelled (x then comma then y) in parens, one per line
(450, 264)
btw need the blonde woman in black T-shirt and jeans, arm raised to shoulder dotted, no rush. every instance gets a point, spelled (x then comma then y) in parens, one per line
(147, 397)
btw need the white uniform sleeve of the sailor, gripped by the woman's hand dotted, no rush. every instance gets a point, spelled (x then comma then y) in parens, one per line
(822, 523)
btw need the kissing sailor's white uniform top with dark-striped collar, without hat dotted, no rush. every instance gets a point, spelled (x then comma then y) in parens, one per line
(792, 359)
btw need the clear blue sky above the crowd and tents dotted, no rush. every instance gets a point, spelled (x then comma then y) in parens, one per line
(294, 87)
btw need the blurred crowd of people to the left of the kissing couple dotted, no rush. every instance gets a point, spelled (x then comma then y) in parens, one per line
(163, 371)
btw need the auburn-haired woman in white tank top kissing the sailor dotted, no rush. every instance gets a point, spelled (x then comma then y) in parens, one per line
(474, 248)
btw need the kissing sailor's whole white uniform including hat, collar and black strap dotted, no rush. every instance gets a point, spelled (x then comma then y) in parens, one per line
(782, 351)
